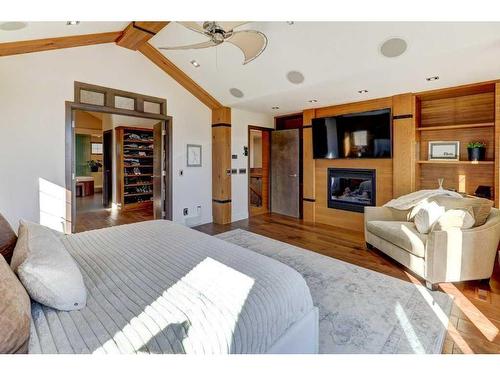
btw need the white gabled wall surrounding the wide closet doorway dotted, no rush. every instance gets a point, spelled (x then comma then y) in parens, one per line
(33, 91)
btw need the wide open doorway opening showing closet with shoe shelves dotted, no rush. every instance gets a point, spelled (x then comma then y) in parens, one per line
(115, 162)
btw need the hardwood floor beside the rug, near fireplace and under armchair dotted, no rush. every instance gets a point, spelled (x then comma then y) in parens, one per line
(475, 319)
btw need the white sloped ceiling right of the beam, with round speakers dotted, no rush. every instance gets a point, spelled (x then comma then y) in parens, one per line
(338, 59)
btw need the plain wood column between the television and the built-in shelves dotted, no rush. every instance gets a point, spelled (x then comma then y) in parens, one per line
(404, 139)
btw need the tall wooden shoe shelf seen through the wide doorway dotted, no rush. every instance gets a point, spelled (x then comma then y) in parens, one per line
(134, 172)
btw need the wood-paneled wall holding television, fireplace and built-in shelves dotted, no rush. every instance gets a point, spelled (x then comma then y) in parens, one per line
(408, 169)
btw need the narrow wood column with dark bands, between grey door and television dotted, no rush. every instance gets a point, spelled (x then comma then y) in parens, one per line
(308, 170)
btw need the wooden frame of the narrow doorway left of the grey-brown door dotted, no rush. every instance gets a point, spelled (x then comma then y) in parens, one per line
(266, 172)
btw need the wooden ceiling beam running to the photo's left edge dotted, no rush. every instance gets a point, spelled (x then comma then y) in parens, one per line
(38, 45)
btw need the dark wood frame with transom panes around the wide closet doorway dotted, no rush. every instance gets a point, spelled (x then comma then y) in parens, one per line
(109, 93)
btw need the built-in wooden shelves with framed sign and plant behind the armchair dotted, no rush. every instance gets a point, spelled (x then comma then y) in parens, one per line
(463, 114)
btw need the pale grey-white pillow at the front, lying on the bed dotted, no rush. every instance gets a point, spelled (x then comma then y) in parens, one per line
(46, 269)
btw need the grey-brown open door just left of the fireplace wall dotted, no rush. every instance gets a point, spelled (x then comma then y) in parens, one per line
(285, 172)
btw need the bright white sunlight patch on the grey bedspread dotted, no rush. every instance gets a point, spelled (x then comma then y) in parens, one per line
(210, 292)
